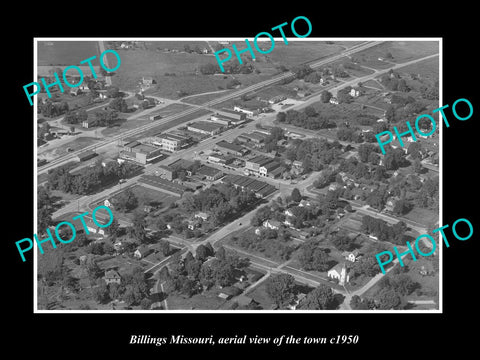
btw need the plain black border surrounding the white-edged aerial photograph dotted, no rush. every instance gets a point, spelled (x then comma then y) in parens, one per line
(110, 333)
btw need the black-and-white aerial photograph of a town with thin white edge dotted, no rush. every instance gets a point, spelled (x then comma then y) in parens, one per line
(262, 187)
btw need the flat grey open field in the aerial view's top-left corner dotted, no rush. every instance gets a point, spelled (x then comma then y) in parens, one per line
(66, 52)
